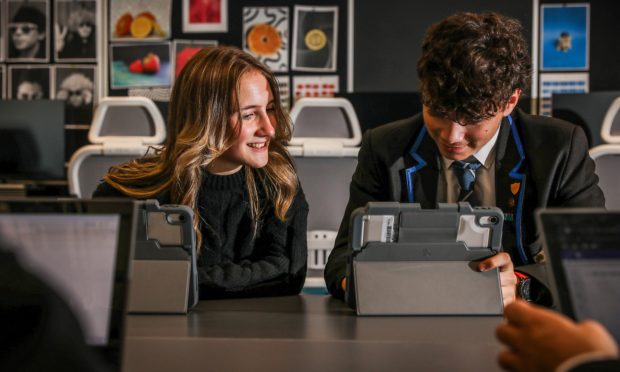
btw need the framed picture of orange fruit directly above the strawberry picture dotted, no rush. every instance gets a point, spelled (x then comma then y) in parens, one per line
(140, 21)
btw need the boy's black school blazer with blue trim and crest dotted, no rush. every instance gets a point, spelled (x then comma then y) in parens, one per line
(540, 162)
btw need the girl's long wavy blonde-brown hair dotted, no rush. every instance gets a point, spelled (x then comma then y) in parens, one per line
(202, 103)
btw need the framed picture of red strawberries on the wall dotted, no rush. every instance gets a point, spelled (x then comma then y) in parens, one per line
(140, 65)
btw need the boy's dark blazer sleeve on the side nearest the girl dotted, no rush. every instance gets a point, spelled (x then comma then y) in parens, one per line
(367, 184)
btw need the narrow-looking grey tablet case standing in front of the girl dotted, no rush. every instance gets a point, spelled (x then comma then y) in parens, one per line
(164, 276)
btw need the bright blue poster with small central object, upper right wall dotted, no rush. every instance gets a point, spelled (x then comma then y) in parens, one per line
(564, 37)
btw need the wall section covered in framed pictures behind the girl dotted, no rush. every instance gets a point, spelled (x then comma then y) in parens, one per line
(80, 50)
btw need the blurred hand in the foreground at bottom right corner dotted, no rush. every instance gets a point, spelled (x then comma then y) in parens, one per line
(540, 340)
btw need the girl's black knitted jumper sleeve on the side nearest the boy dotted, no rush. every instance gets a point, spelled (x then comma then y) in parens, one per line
(277, 269)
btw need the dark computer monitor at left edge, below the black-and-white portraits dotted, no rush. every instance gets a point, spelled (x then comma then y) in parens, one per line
(32, 140)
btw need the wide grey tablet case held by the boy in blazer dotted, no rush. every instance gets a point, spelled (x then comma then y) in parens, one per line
(406, 260)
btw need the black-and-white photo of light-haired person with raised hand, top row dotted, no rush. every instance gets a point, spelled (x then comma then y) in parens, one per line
(76, 31)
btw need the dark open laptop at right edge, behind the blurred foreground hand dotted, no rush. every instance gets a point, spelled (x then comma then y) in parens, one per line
(582, 251)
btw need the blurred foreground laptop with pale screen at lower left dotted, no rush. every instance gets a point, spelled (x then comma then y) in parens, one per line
(82, 250)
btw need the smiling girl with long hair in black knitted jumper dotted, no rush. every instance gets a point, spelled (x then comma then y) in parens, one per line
(225, 157)
